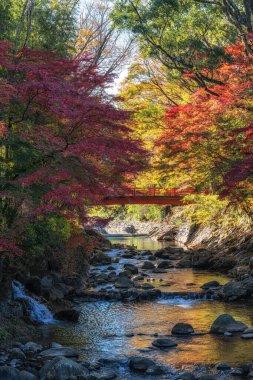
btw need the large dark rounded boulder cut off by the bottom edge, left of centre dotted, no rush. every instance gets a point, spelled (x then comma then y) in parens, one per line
(62, 369)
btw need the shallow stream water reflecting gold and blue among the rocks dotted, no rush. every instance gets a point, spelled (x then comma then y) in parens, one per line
(112, 329)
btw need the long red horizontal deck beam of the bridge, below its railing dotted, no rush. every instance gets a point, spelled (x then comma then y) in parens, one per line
(142, 200)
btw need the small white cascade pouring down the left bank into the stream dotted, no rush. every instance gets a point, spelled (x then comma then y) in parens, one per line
(38, 312)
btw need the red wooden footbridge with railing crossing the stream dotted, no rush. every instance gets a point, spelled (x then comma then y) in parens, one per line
(150, 195)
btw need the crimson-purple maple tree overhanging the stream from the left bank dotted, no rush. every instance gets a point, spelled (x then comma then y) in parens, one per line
(63, 141)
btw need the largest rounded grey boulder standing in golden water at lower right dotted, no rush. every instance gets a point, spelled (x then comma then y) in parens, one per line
(226, 323)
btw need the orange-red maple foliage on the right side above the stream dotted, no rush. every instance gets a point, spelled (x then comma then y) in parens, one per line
(209, 140)
